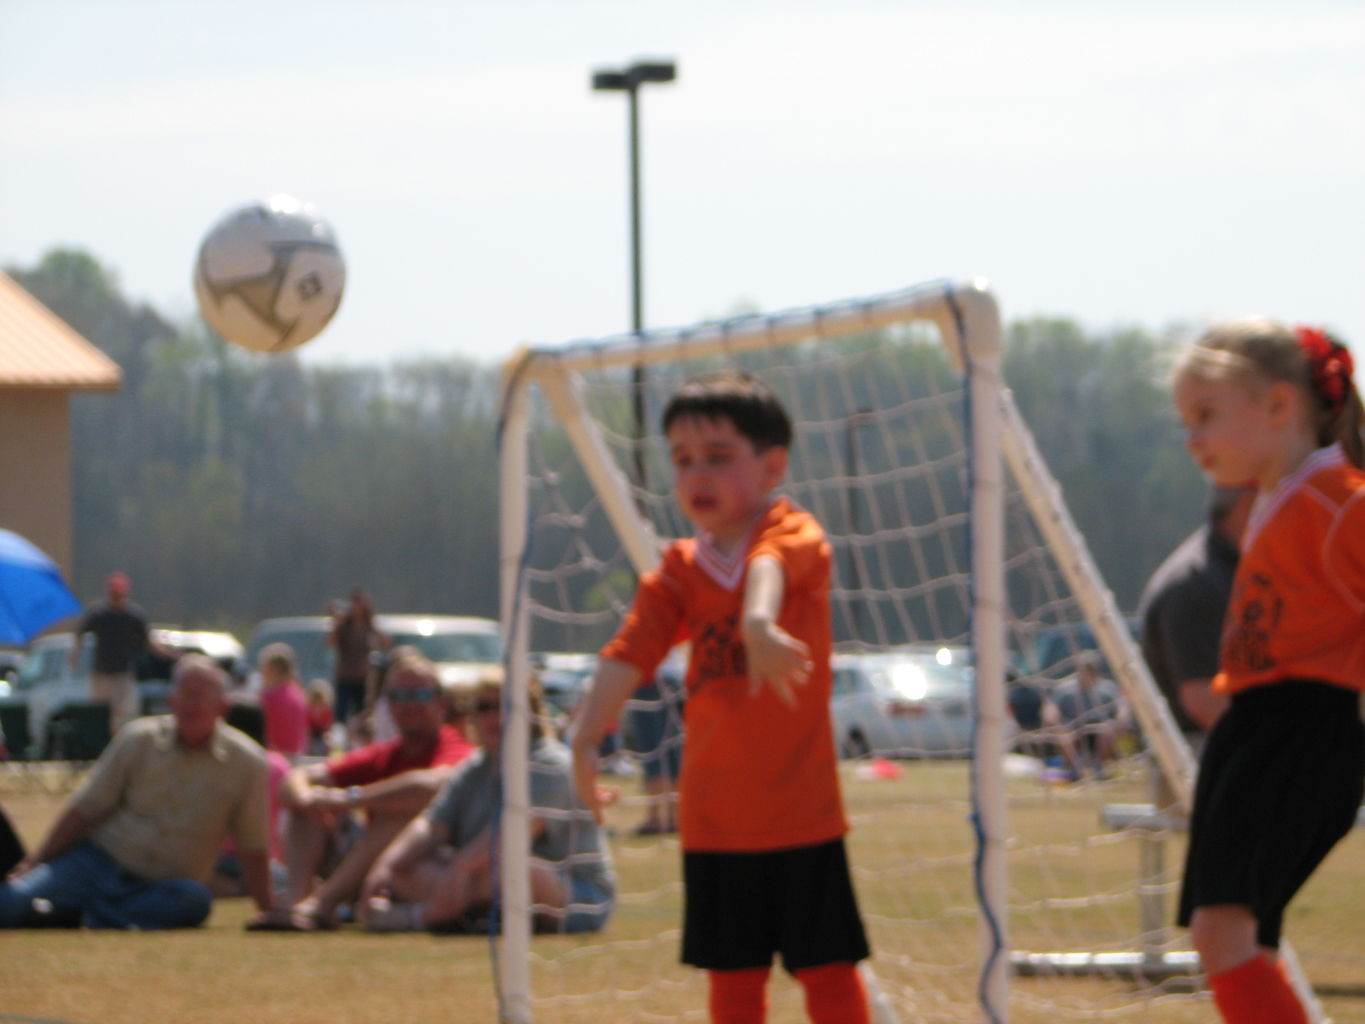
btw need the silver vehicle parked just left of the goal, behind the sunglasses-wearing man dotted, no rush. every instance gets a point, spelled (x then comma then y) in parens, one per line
(462, 646)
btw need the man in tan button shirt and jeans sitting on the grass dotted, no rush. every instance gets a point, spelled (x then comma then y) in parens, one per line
(136, 846)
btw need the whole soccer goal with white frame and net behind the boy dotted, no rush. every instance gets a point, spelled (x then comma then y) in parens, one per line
(1000, 877)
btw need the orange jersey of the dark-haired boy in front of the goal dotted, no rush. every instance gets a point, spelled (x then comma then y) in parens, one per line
(757, 773)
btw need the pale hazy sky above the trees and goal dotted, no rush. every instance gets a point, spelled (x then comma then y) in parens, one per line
(1150, 165)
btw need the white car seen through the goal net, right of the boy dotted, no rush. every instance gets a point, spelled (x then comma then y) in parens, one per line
(911, 702)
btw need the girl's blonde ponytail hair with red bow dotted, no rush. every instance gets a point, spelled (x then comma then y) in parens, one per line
(1265, 352)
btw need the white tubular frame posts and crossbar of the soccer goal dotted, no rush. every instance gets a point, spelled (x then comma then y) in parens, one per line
(967, 317)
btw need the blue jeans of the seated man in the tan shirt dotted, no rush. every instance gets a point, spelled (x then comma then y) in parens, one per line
(88, 880)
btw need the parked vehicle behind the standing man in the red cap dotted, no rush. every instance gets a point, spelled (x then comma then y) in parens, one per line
(50, 687)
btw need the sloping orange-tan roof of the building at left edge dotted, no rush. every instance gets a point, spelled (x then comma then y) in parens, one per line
(40, 350)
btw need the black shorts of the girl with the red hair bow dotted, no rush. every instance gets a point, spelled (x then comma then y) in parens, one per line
(1280, 784)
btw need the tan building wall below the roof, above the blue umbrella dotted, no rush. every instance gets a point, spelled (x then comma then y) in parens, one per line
(36, 469)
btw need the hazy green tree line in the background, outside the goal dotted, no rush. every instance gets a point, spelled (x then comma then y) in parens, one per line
(235, 488)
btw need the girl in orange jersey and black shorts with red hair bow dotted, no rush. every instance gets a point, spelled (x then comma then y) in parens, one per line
(1282, 776)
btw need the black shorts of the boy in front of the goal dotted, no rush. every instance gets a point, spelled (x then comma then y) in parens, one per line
(742, 909)
